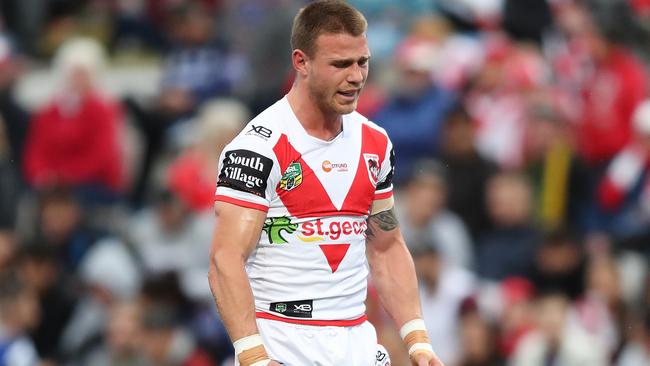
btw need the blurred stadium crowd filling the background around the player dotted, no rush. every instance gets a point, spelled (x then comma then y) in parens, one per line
(522, 138)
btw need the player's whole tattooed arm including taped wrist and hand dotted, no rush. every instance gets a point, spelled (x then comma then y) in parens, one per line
(393, 275)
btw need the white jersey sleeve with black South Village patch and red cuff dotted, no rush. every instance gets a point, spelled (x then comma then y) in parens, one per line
(248, 173)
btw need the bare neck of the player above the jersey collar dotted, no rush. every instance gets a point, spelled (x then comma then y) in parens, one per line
(315, 121)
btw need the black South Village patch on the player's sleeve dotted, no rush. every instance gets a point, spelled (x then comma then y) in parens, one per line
(246, 171)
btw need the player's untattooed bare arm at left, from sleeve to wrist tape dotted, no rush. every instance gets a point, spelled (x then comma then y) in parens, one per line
(235, 236)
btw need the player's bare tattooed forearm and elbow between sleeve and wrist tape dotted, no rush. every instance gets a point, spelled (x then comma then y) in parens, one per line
(391, 268)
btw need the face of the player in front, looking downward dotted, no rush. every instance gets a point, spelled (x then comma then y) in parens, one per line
(337, 71)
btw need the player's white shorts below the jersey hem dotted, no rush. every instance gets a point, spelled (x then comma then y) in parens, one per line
(308, 345)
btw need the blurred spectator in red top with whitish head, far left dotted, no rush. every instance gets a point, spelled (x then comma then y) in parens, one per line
(73, 139)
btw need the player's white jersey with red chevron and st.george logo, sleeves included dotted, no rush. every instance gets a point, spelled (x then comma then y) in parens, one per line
(309, 266)
